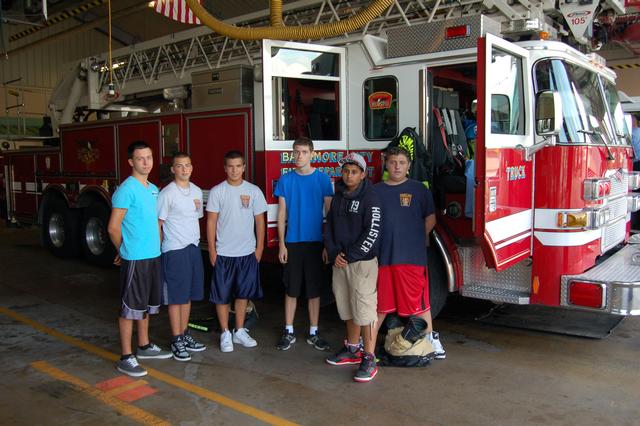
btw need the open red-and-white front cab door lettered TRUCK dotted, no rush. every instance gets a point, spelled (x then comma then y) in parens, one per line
(503, 209)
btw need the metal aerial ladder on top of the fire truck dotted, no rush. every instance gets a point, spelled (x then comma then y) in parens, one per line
(168, 61)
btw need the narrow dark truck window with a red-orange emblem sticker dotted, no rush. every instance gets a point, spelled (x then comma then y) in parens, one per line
(380, 108)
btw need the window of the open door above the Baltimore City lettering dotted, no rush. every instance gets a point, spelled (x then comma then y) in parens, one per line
(306, 99)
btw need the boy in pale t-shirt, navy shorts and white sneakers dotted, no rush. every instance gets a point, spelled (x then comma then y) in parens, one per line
(234, 207)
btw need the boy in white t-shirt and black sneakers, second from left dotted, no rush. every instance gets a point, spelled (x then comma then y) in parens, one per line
(179, 211)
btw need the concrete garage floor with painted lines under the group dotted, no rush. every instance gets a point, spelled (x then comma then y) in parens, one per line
(59, 338)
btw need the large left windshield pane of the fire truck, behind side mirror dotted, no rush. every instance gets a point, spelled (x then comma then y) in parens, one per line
(586, 119)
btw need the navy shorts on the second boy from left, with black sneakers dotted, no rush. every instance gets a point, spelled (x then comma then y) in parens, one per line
(183, 275)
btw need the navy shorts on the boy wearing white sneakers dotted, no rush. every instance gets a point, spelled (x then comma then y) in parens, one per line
(235, 277)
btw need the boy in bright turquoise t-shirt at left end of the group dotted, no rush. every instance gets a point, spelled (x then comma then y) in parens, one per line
(134, 231)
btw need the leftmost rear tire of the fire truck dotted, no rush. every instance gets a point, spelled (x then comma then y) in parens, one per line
(60, 228)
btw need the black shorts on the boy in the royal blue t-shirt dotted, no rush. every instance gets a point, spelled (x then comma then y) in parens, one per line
(303, 269)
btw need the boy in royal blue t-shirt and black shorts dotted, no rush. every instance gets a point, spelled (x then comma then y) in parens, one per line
(302, 196)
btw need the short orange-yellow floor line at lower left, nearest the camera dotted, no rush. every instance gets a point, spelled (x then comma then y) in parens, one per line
(121, 407)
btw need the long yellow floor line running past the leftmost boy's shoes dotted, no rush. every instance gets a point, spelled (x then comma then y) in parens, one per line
(189, 387)
